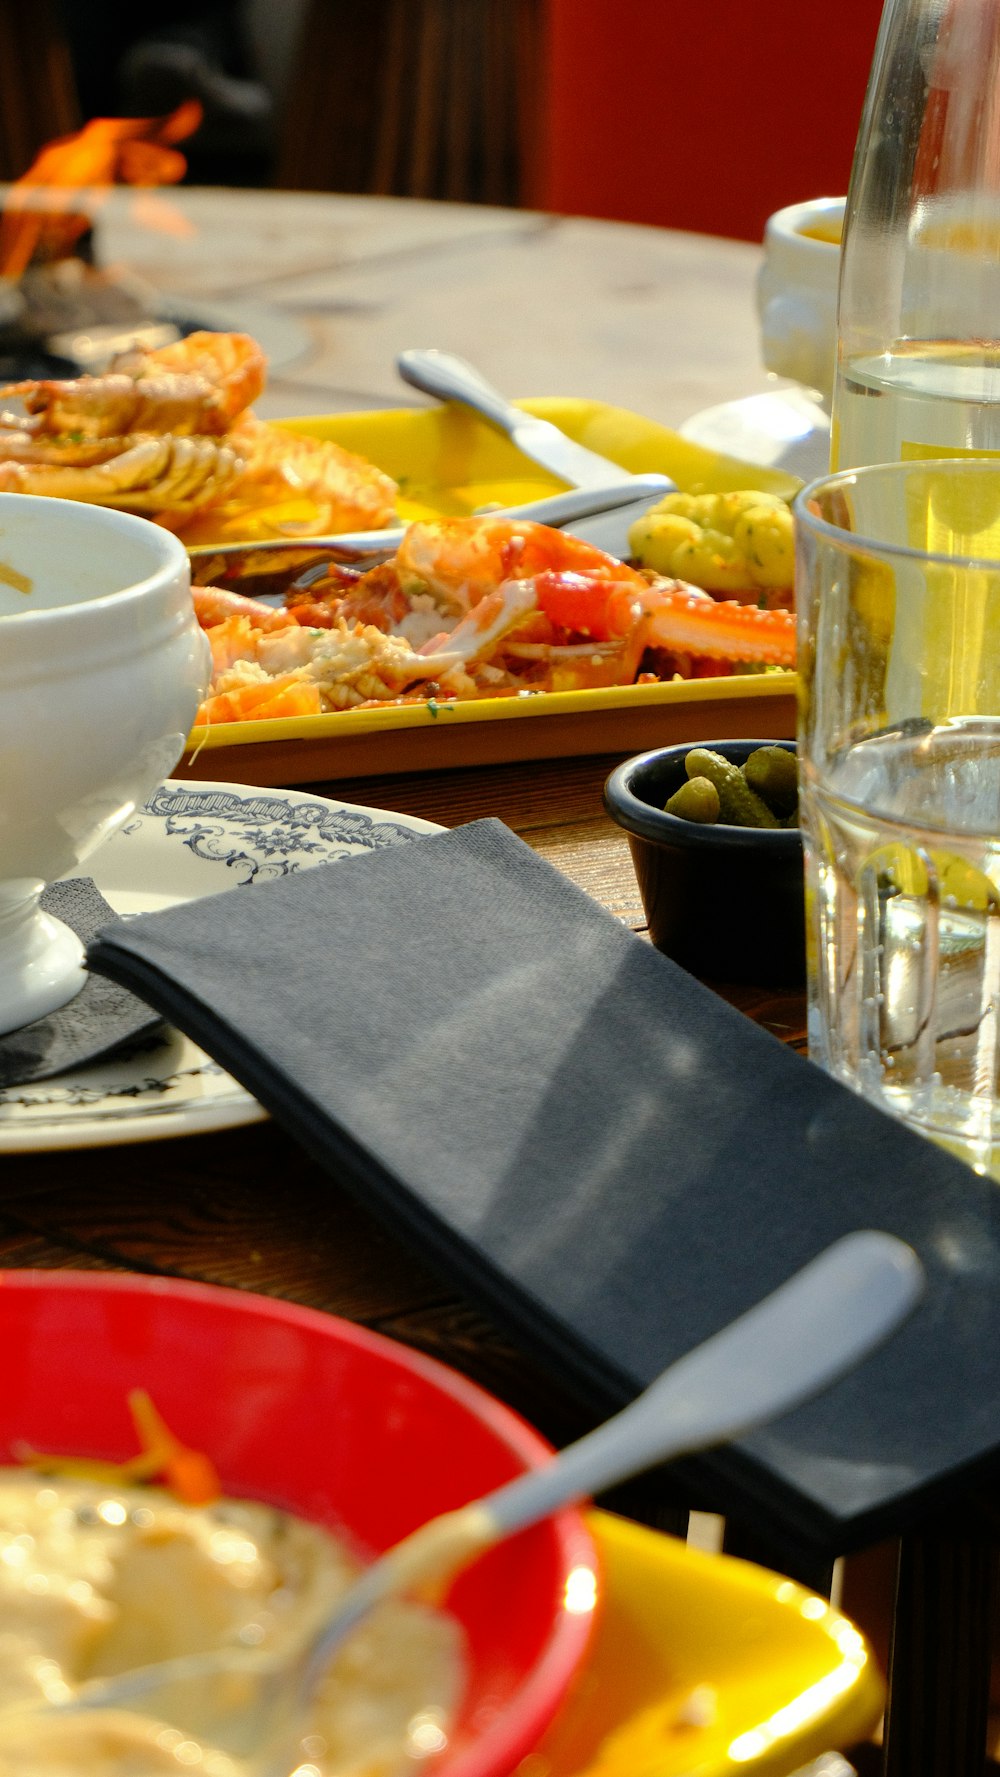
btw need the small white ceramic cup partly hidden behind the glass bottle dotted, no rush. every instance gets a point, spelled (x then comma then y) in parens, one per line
(797, 292)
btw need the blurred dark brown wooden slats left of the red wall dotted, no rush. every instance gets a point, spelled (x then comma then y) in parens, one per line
(417, 99)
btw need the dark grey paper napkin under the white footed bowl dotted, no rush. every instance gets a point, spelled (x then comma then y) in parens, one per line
(102, 1019)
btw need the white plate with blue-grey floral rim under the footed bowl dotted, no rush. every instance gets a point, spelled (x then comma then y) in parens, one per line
(189, 841)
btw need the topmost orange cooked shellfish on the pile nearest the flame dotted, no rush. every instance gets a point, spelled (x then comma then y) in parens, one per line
(202, 385)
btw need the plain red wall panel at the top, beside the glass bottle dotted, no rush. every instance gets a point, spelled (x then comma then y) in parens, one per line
(701, 115)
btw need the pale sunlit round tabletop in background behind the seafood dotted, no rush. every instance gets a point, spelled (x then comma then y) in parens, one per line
(646, 319)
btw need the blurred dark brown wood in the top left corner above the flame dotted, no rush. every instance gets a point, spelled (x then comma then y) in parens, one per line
(38, 92)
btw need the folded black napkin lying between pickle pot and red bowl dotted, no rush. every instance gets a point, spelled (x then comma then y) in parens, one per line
(591, 1143)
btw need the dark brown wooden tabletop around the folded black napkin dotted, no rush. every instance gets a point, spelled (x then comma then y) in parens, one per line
(248, 1209)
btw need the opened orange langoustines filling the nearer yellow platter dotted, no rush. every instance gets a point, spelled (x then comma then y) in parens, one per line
(473, 609)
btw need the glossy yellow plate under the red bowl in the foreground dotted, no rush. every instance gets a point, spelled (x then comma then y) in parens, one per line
(708, 1668)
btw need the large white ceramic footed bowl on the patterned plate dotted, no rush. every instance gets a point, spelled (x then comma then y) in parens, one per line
(102, 671)
